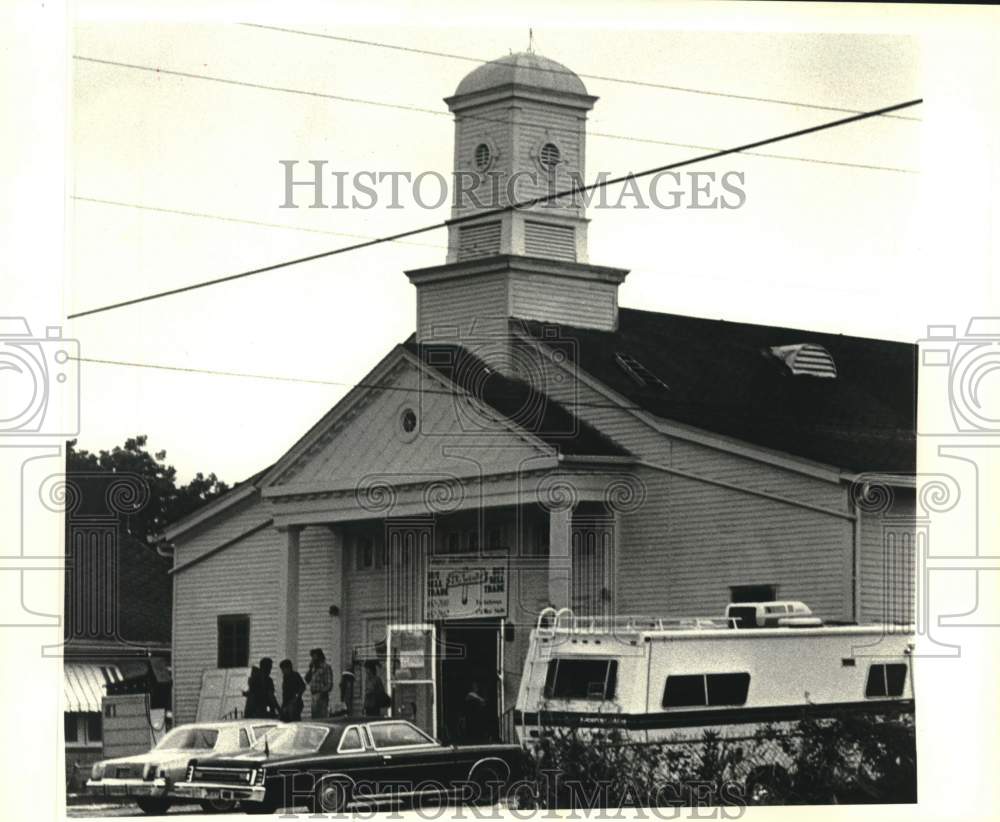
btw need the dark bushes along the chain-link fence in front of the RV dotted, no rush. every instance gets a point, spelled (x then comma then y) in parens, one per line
(845, 759)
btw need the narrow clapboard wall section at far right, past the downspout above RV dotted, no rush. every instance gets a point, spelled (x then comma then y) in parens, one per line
(889, 542)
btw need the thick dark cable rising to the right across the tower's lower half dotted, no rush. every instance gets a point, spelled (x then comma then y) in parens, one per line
(504, 209)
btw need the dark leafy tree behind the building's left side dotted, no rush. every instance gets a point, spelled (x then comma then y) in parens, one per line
(167, 501)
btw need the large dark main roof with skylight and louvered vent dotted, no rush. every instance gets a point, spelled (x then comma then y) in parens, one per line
(721, 377)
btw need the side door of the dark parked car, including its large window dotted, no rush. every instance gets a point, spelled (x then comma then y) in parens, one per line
(410, 760)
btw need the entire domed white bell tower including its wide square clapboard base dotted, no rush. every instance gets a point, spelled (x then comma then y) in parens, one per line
(520, 134)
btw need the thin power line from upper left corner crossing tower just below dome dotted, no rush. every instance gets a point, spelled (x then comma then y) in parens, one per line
(438, 113)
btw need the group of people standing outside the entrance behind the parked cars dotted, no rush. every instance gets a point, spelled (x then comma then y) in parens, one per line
(262, 699)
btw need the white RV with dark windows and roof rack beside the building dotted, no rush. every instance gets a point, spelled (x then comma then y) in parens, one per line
(658, 678)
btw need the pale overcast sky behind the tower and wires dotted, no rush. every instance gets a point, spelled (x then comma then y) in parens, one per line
(816, 245)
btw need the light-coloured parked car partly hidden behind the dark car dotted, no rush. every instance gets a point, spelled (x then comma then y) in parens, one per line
(150, 778)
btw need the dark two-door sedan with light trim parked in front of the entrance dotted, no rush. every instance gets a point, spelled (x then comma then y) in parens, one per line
(330, 764)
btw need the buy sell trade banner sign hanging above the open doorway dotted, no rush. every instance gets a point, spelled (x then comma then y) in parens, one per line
(455, 590)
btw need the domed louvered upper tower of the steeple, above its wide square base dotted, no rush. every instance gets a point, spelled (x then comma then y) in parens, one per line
(520, 133)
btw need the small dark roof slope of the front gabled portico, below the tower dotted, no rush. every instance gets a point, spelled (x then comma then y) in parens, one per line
(516, 400)
